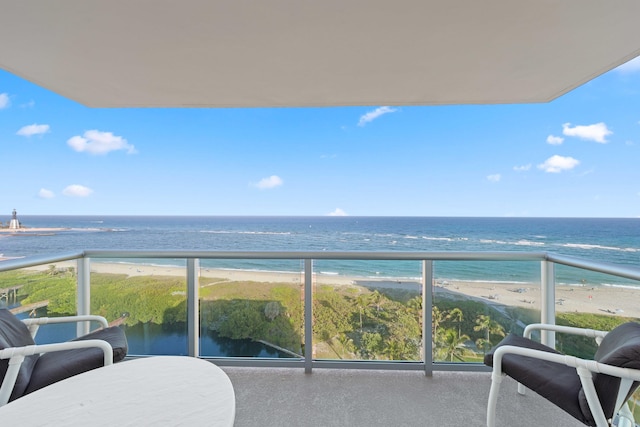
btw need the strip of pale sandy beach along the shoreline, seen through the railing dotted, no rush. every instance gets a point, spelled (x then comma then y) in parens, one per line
(586, 299)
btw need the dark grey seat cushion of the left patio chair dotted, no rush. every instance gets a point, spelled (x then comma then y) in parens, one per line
(56, 366)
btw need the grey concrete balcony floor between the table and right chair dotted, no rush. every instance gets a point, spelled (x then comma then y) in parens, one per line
(332, 397)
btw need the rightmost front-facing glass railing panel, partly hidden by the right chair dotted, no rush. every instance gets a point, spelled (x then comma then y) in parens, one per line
(475, 304)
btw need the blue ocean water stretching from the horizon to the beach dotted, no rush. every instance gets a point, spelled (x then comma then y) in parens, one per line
(602, 239)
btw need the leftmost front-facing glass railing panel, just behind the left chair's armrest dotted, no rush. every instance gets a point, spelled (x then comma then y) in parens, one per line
(146, 297)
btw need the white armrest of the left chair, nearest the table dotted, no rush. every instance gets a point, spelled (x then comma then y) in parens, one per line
(16, 356)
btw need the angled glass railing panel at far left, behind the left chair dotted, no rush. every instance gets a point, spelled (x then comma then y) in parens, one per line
(42, 291)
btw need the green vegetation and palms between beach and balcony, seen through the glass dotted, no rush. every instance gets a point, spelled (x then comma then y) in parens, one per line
(349, 322)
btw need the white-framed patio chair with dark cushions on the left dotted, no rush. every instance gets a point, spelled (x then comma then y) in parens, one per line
(26, 367)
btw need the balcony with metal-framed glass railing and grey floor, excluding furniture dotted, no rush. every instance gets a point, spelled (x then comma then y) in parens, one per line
(349, 370)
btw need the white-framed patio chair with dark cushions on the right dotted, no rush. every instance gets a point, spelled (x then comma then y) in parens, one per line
(593, 391)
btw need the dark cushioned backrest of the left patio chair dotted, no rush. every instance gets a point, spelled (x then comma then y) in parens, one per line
(14, 333)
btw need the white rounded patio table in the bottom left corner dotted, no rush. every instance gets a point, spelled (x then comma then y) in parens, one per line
(161, 391)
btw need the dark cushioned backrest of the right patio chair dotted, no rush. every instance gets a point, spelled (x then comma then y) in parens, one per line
(621, 348)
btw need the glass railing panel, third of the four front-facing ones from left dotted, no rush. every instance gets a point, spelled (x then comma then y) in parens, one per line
(367, 310)
